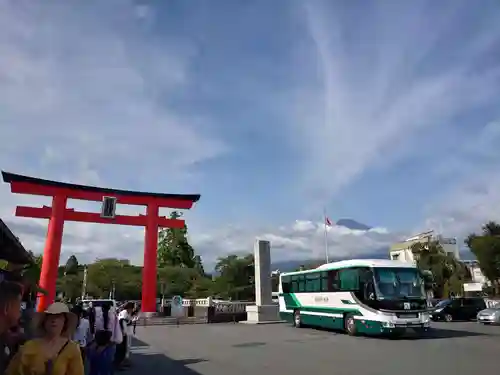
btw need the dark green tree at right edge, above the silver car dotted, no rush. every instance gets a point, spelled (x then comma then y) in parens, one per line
(486, 247)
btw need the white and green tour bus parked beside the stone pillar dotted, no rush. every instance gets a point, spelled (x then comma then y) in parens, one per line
(363, 296)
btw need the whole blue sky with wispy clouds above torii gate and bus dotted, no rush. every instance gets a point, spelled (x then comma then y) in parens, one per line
(384, 112)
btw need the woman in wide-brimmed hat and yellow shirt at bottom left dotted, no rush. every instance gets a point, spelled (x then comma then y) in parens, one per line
(53, 353)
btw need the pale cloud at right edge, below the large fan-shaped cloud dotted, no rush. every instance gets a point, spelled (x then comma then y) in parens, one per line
(474, 196)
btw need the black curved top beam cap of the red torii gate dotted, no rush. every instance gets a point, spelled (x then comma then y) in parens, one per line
(13, 178)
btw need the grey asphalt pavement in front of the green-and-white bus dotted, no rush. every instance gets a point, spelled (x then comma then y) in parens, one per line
(237, 349)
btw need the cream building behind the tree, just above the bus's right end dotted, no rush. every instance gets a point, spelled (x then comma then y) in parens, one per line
(402, 250)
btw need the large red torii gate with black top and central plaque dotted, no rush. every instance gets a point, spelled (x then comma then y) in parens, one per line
(58, 214)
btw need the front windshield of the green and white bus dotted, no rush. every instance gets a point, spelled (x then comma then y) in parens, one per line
(394, 283)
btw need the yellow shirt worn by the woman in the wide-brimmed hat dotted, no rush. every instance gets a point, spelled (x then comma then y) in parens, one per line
(31, 361)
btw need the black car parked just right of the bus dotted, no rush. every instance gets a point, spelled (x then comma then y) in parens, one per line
(458, 309)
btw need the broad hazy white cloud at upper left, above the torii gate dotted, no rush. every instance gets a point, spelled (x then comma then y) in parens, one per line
(85, 83)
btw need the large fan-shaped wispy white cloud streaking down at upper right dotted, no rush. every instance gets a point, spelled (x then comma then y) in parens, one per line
(377, 84)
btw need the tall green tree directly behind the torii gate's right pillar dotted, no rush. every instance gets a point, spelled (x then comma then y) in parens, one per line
(174, 248)
